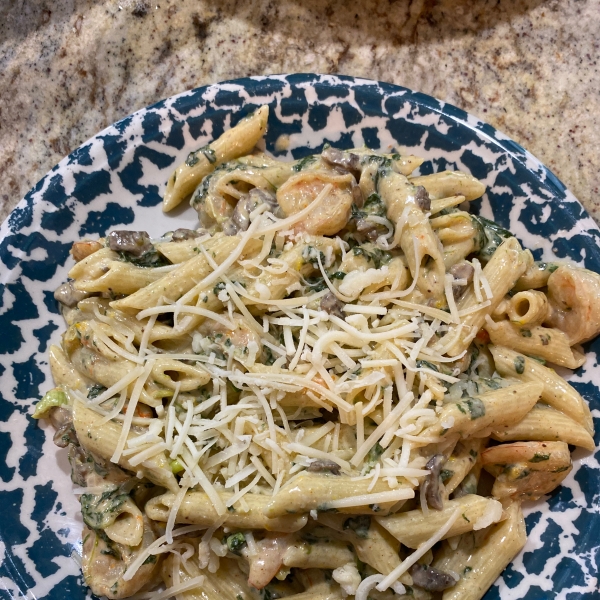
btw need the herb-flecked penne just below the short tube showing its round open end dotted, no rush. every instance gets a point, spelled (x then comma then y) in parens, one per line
(550, 344)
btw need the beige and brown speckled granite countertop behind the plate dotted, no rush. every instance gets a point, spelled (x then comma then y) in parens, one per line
(528, 67)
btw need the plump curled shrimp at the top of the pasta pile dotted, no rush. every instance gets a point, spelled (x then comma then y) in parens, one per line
(332, 213)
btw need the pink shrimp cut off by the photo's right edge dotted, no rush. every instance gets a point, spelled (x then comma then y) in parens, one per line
(574, 296)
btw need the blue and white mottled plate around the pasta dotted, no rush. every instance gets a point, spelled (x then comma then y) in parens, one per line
(117, 179)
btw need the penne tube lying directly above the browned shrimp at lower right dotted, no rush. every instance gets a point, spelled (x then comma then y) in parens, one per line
(545, 423)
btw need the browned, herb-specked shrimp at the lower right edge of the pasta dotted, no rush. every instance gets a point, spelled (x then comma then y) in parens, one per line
(527, 470)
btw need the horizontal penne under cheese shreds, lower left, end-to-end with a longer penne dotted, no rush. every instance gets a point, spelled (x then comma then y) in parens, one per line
(197, 508)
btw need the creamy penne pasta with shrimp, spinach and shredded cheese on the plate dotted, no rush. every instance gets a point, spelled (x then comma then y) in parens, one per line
(338, 386)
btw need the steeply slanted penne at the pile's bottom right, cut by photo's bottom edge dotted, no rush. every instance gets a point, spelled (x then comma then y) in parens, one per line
(484, 564)
